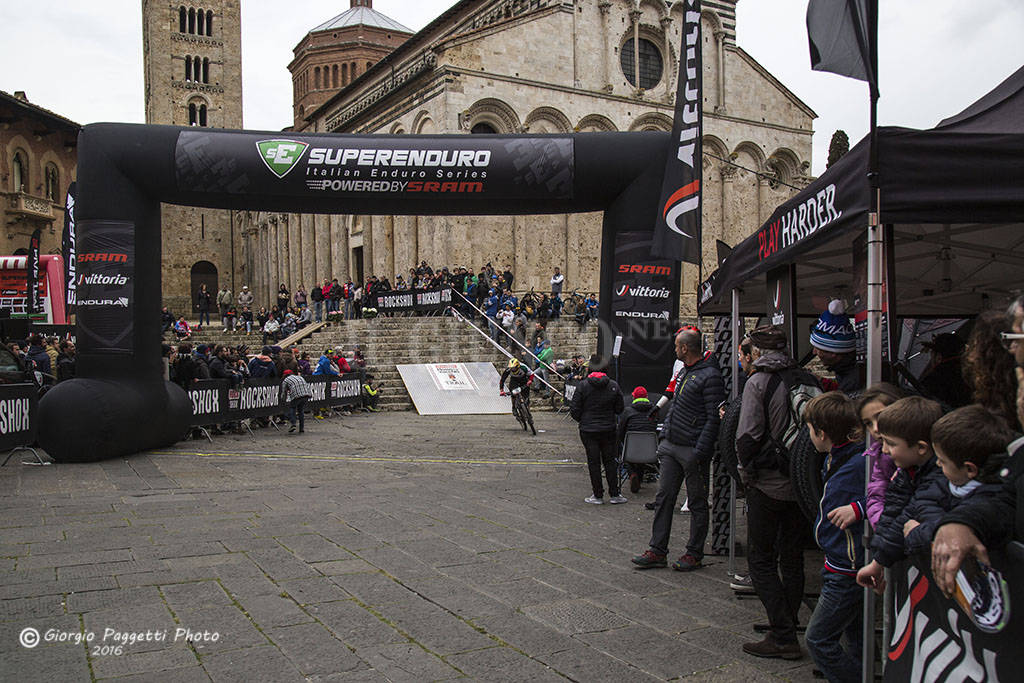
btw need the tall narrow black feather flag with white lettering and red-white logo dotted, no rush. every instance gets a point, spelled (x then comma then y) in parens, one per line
(677, 235)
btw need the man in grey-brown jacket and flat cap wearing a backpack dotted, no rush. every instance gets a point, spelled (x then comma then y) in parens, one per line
(770, 420)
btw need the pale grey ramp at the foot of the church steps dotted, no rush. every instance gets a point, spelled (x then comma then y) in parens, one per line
(455, 389)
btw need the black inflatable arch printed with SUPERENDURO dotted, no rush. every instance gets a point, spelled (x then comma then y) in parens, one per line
(120, 405)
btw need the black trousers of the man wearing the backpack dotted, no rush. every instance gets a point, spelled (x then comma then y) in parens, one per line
(775, 539)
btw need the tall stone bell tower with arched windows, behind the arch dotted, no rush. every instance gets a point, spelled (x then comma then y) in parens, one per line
(193, 68)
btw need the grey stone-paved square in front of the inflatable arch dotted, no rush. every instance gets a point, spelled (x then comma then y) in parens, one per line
(377, 547)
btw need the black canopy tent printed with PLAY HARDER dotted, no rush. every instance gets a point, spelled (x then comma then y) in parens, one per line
(953, 201)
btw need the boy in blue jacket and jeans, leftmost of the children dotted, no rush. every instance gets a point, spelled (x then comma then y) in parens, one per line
(834, 426)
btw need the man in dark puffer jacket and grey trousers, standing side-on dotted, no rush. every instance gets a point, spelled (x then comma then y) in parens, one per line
(691, 434)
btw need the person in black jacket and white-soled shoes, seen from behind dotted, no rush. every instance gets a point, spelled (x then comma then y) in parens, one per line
(595, 404)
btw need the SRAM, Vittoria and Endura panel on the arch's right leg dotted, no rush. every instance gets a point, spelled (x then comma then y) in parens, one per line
(644, 289)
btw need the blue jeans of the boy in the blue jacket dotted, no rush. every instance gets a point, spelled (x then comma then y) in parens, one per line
(838, 613)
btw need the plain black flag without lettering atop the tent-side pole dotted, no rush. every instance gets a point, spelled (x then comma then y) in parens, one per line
(839, 37)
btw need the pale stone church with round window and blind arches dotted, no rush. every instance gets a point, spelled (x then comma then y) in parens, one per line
(544, 67)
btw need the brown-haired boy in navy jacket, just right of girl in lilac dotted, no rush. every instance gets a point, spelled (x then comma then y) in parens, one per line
(906, 429)
